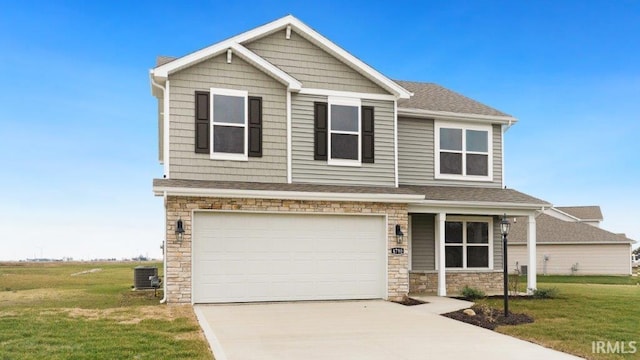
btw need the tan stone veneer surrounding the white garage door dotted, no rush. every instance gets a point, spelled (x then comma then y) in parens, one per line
(178, 271)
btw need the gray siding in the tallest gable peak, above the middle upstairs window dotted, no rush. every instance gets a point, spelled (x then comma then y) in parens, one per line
(310, 65)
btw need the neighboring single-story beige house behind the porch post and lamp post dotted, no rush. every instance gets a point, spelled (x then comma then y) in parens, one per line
(569, 241)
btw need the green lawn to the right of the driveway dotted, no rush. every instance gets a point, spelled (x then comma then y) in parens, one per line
(587, 310)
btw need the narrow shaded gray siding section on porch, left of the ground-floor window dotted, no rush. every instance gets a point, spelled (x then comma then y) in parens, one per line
(423, 257)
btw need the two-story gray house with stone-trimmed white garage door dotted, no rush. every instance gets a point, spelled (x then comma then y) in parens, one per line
(295, 171)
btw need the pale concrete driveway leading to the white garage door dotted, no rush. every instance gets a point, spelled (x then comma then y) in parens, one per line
(368, 330)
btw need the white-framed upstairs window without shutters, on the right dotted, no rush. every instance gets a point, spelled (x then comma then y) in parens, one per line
(463, 152)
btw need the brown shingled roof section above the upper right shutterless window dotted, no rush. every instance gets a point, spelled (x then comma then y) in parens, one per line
(435, 100)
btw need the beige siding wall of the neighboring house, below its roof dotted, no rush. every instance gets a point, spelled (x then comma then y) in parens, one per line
(592, 259)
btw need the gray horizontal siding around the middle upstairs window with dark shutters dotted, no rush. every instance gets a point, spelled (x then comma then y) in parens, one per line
(307, 170)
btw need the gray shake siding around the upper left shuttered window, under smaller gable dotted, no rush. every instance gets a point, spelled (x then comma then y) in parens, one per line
(239, 75)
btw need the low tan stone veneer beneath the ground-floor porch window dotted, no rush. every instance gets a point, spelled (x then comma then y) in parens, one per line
(427, 282)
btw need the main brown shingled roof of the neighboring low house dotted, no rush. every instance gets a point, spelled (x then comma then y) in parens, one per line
(550, 230)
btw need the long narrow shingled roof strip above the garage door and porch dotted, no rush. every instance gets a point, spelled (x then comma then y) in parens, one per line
(449, 194)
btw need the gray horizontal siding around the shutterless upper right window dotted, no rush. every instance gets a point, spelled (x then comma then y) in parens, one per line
(416, 155)
